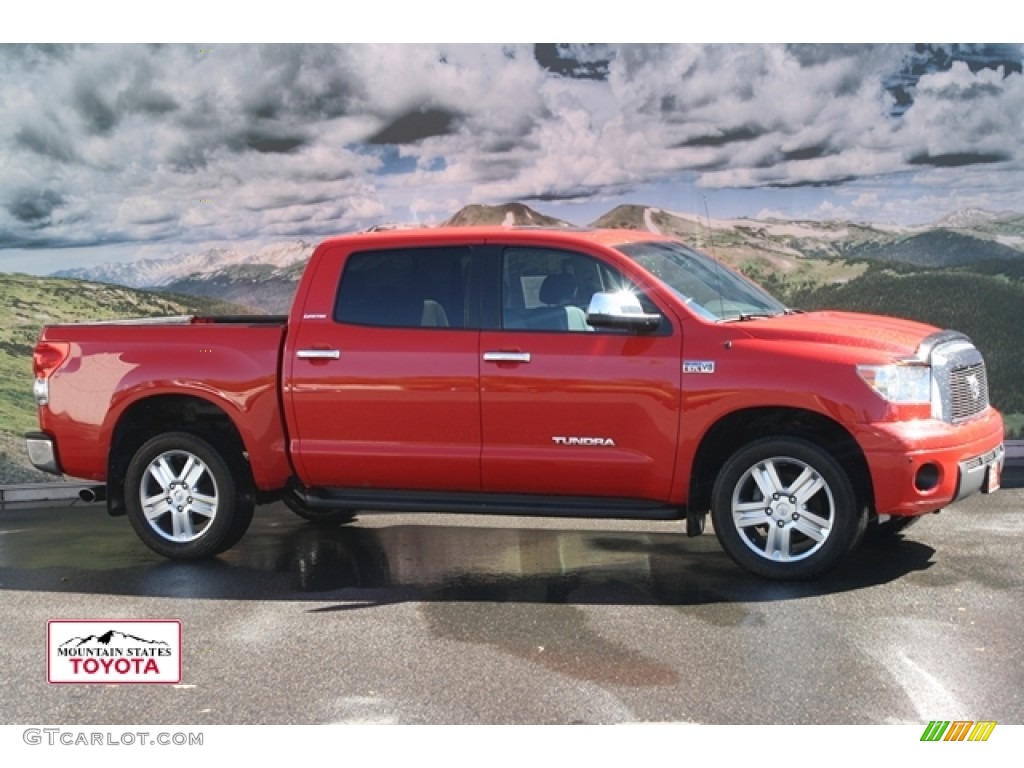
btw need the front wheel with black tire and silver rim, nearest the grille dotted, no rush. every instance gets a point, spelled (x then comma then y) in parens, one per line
(784, 508)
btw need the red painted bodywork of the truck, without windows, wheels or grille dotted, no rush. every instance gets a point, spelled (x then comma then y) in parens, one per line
(421, 410)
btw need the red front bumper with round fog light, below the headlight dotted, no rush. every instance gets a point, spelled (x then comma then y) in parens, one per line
(921, 467)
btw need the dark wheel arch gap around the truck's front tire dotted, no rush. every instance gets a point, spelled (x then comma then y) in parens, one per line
(740, 429)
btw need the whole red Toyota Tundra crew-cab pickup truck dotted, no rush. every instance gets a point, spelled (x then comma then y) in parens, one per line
(540, 372)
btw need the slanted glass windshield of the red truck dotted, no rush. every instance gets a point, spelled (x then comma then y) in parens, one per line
(711, 289)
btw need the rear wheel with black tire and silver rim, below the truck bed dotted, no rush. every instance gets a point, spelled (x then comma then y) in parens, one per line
(183, 499)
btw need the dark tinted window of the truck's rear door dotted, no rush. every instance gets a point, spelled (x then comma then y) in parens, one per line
(407, 288)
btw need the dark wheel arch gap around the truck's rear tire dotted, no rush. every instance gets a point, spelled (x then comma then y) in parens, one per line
(152, 416)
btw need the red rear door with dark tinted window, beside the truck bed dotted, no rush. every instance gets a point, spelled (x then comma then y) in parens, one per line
(383, 375)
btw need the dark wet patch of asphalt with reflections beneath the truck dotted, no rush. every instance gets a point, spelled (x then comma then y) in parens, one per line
(385, 560)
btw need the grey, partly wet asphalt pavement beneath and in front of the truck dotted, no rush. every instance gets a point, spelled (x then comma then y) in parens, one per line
(444, 619)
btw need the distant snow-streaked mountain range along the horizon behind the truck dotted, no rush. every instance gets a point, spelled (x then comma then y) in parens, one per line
(266, 279)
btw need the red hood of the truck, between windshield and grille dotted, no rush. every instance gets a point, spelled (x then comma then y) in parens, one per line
(892, 335)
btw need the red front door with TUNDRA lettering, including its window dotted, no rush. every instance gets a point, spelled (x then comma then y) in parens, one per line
(568, 409)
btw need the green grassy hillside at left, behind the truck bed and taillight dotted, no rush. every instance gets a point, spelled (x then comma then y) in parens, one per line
(27, 304)
